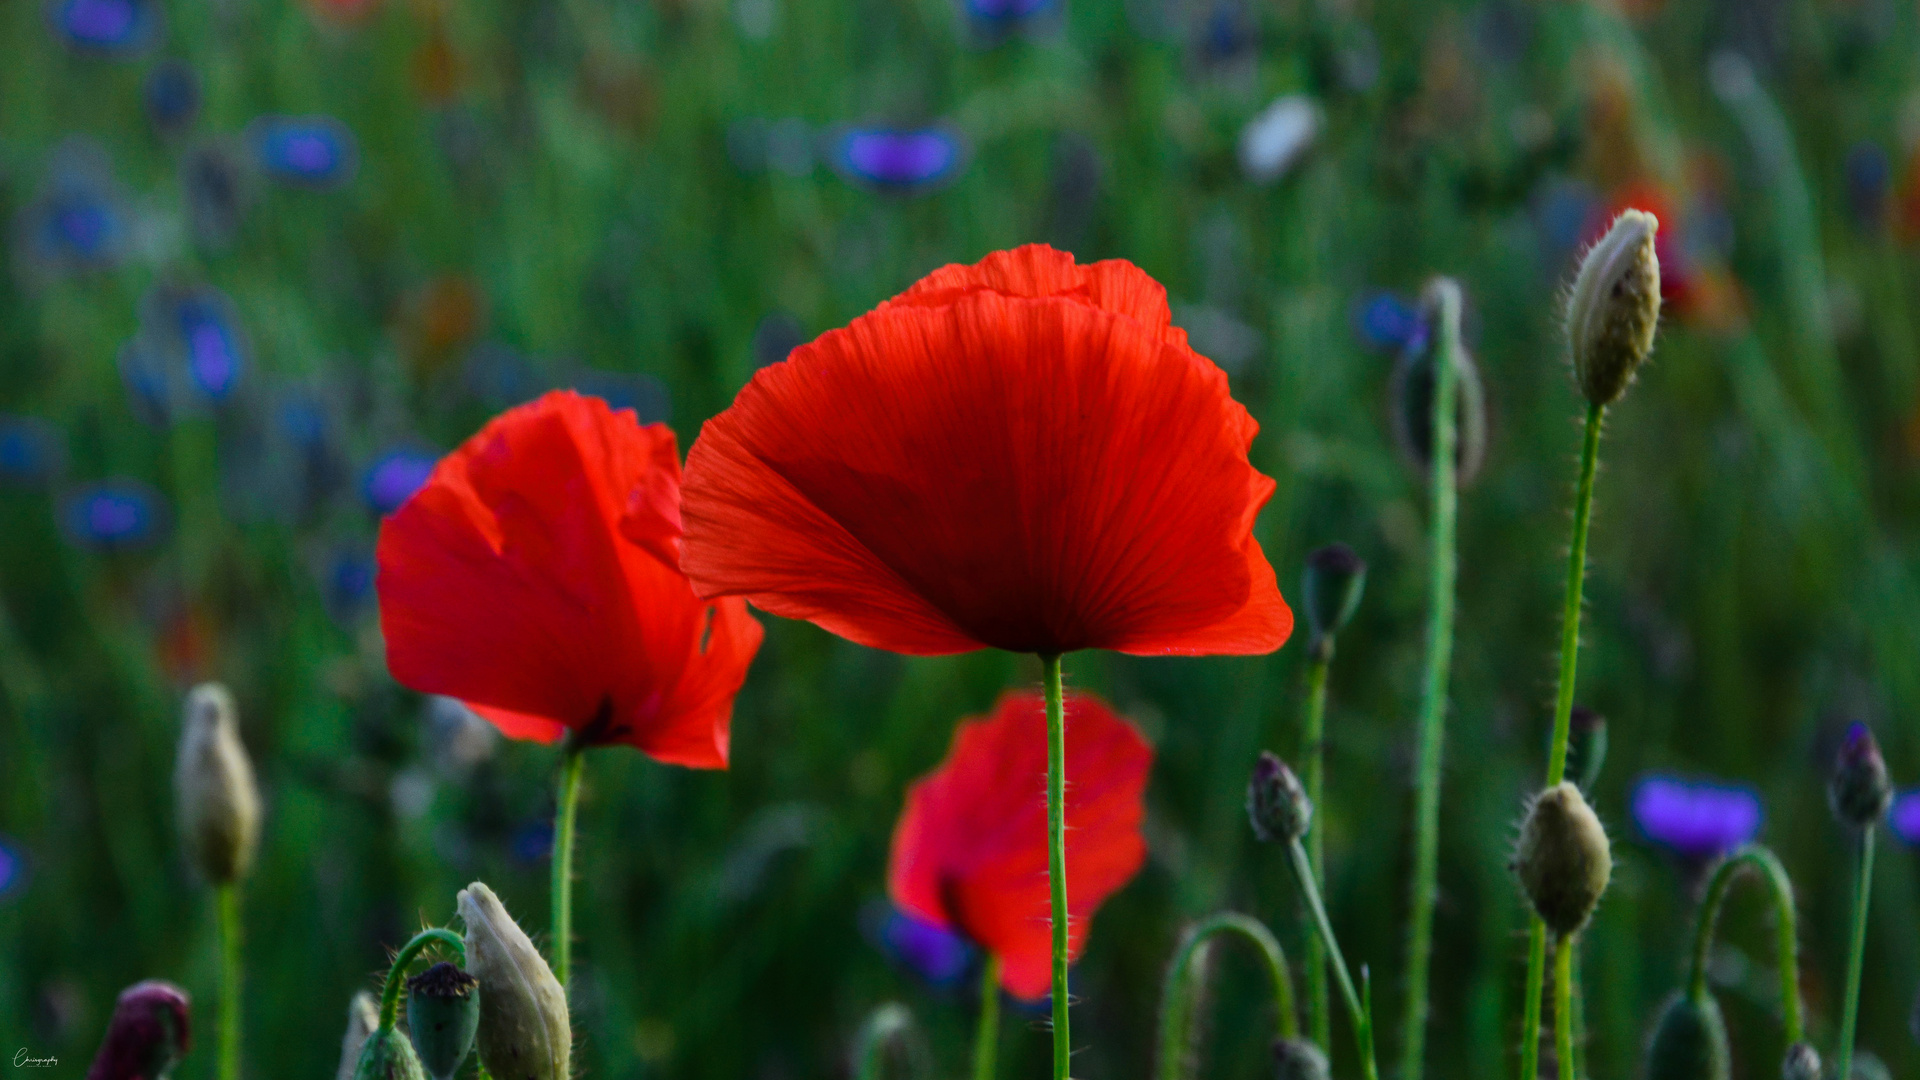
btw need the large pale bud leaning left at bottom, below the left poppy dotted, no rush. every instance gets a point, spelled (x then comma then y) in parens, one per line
(523, 1010)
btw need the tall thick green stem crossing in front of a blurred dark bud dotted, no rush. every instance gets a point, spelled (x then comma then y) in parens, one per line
(1443, 566)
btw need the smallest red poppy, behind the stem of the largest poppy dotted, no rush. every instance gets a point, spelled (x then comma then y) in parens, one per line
(971, 850)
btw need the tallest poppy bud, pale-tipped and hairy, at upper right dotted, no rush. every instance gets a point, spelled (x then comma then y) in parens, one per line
(1616, 307)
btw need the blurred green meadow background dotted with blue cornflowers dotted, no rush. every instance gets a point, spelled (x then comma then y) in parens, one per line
(270, 258)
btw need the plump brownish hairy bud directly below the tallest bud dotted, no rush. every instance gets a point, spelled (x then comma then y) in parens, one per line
(1564, 858)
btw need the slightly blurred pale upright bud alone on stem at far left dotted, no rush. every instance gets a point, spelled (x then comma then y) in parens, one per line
(216, 800)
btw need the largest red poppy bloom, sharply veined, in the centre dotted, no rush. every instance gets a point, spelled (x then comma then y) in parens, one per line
(1020, 454)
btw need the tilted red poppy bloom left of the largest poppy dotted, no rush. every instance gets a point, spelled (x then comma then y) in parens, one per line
(535, 577)
